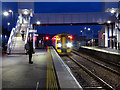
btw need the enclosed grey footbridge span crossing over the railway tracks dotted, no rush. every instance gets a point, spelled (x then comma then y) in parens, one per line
(73, 18)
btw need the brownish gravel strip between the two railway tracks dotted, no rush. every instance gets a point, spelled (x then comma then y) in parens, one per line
(109, 77)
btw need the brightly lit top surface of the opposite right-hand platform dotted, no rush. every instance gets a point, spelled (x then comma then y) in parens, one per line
(106, 50)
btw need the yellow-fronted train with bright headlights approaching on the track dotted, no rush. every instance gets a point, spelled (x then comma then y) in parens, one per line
(62, 43)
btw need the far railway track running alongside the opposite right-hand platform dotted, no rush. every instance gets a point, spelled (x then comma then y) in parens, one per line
(98, 63)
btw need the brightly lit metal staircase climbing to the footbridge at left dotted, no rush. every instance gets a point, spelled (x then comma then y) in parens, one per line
(15, 43)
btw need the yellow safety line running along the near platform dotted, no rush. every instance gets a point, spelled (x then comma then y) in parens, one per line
(51, 77)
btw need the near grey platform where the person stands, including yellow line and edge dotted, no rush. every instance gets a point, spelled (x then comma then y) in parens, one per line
(48, 71)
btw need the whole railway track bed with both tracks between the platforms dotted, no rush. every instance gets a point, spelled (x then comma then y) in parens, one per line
(107, 77)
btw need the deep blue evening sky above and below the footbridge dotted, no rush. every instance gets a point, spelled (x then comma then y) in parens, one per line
(59, 7)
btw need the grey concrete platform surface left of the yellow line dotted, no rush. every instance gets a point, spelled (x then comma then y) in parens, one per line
(18, 73)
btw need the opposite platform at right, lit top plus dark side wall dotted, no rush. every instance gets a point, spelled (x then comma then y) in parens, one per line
(106, 54)
